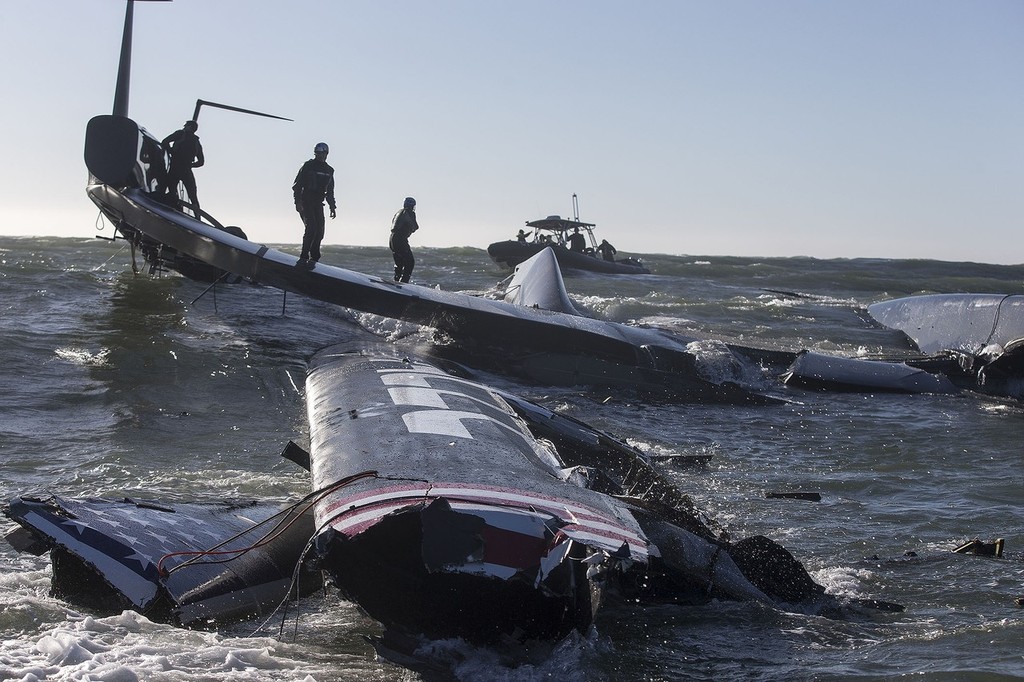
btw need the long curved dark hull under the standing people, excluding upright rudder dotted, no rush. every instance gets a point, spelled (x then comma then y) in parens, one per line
(614, 354)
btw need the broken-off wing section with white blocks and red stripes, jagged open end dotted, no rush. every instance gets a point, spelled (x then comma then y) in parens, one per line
(472, 528)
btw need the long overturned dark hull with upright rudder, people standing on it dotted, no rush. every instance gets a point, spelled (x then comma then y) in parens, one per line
(554, 347)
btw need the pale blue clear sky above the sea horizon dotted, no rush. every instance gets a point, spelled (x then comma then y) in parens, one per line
(833, 130)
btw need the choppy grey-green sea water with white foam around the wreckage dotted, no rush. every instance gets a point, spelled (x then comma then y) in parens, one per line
(117, 385)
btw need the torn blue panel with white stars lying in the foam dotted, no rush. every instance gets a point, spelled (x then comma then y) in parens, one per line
(191, 565)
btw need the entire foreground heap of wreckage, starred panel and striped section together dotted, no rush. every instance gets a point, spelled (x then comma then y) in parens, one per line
(475, 515)
